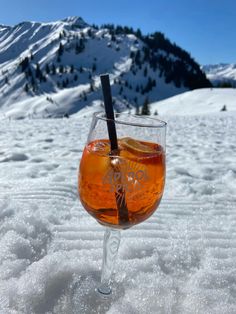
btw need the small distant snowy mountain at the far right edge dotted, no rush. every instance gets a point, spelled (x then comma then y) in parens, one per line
(221, 73)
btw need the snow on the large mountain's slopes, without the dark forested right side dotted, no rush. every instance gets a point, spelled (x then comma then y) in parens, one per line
(40, 43)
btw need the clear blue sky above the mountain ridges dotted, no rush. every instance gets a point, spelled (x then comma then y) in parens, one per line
(205, 28)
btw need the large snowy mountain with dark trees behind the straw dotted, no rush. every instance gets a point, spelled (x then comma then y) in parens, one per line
(52, 69)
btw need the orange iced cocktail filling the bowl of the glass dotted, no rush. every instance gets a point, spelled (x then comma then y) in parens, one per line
(123, 188)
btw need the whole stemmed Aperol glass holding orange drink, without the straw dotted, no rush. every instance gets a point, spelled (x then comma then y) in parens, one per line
(123, 187)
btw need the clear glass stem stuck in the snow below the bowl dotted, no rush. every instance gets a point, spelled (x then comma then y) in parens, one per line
(110, 249)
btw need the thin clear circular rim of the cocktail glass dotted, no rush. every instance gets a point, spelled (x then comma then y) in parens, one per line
(159, 123)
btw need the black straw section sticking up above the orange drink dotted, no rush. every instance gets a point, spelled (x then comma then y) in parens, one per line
(106, 89)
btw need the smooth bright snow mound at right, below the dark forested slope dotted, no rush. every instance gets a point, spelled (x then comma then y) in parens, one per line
(200, 101)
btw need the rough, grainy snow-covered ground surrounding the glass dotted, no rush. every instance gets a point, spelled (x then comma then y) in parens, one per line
(181, 260)
